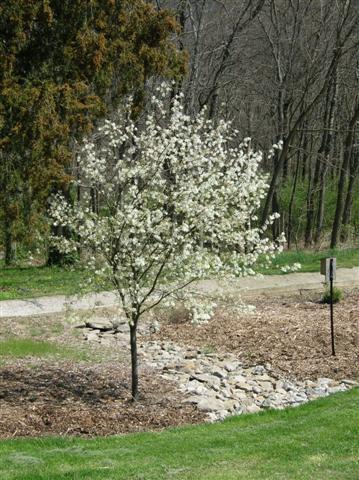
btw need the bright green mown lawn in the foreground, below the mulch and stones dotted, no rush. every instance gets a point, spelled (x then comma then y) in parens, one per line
(316, 441)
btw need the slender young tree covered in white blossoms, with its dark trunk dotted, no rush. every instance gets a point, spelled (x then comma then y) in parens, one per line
(177, 203)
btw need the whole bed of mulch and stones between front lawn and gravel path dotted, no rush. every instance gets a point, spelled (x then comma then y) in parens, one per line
(277, 357)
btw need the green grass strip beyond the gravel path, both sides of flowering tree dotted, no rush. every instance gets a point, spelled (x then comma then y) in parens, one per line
(30, 282)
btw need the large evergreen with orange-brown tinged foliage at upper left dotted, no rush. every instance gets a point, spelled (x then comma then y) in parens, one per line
(64, 64)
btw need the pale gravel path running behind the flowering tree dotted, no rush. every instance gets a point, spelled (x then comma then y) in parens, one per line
(294, 282)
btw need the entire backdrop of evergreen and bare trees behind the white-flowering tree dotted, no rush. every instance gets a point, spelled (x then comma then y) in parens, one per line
(279, 70)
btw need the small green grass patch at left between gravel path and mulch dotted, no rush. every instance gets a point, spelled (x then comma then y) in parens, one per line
(25, 347)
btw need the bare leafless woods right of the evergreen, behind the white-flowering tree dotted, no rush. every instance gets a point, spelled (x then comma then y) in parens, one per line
(280, 69)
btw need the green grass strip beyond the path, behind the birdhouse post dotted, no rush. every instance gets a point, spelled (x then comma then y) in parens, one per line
(310, 259)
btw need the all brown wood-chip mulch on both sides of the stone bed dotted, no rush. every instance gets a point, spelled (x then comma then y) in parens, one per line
(52, 397)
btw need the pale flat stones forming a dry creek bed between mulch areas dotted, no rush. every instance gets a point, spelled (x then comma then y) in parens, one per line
(218, 384)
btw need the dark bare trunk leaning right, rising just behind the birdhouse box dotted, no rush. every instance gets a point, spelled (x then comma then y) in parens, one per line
(342, 179)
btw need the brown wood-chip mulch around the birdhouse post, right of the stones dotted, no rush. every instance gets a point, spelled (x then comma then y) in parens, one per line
(291, 333)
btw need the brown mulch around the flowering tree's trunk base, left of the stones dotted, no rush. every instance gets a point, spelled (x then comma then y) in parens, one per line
(68, 399)
